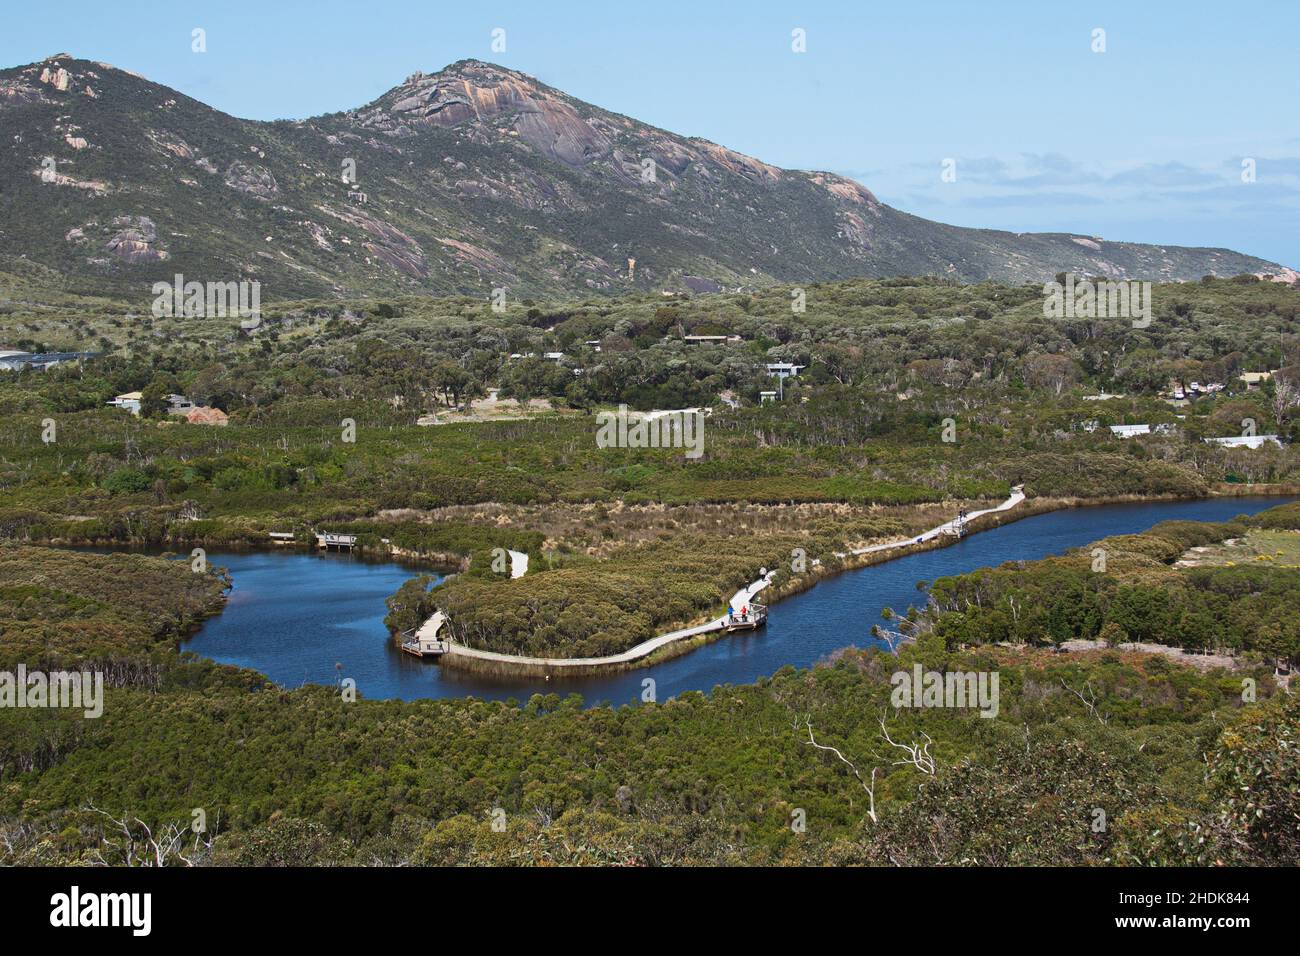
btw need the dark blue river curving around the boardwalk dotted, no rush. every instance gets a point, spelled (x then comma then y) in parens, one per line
(294, 617)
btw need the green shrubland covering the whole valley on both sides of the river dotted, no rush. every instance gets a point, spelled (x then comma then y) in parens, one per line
(302, 777)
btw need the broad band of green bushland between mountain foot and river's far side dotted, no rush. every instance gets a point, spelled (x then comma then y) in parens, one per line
(889, 362)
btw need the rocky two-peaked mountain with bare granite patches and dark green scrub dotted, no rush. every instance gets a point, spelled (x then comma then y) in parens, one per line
(467, 180)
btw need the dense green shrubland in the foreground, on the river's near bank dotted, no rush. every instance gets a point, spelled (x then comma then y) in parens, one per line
(306, 777)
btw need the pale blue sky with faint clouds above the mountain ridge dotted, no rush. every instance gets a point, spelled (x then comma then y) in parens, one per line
(1142, 142)
